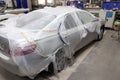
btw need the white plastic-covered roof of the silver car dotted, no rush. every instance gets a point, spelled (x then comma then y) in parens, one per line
(58, 11)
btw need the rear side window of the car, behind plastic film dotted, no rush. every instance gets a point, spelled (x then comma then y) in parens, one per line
(69, 22)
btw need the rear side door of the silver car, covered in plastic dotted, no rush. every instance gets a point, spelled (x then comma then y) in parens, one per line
(69, 31)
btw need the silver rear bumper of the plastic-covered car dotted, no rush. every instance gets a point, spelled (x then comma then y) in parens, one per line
(8, 64)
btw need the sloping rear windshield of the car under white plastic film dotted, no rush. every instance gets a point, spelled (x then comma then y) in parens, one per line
(34, 20)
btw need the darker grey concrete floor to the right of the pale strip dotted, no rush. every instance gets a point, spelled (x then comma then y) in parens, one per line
(102, 63)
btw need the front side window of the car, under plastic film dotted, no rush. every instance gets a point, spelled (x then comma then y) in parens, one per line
(85, 17)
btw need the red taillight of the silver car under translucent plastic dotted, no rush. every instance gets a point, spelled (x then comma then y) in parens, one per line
(18, 51)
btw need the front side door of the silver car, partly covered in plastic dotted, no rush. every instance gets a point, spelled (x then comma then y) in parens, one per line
(88, 34)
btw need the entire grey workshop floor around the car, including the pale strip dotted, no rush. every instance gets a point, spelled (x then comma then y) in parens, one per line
(101, 62)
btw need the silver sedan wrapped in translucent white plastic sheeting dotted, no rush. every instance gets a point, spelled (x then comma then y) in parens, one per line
(45, 39)
